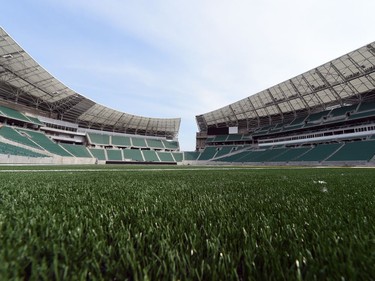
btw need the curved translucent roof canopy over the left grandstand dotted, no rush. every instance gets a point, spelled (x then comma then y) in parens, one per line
(23, 81)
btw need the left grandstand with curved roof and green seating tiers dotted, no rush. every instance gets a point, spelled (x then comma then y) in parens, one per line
(41, 115)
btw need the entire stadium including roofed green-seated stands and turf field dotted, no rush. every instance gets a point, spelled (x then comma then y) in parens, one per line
(247, 204)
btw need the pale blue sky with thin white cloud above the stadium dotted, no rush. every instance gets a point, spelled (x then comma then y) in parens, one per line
(183, 58)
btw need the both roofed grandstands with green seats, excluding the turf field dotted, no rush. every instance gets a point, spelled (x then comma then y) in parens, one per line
(325, 116)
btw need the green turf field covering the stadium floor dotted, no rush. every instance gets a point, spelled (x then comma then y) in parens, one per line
(201, 223)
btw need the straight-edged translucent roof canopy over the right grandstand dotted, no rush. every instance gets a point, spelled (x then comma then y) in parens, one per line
(340, 82)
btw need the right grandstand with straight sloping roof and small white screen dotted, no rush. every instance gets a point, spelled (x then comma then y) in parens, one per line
(323, 116)
